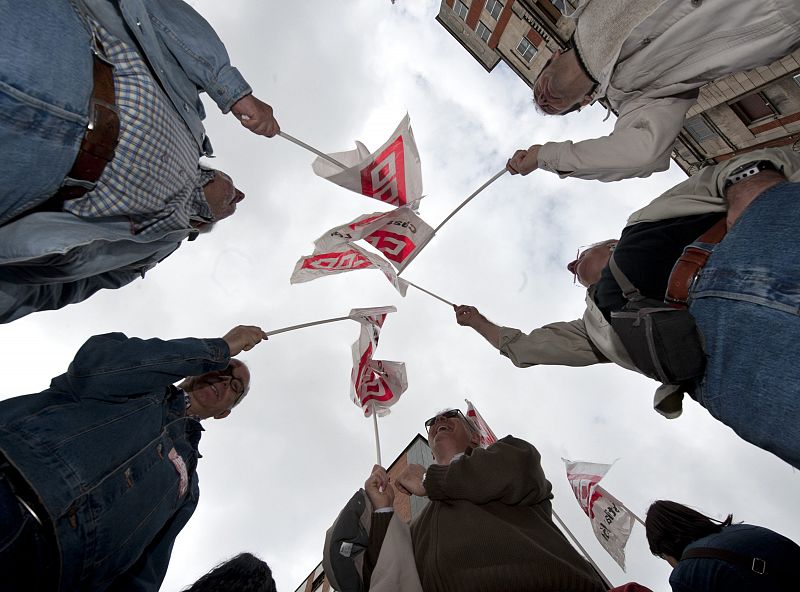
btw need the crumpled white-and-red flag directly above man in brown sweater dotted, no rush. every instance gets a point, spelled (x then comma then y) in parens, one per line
(375, 385)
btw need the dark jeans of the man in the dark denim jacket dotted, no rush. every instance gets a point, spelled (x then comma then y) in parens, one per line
(24, 560)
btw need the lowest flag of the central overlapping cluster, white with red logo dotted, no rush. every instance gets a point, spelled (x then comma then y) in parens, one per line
(344, 257)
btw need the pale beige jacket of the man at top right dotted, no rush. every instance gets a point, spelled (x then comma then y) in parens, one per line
(650, 58)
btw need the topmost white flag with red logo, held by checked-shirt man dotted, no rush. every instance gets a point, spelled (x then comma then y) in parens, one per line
(391, 174)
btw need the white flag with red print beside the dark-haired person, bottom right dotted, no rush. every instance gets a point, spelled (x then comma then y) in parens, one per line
(611, 520)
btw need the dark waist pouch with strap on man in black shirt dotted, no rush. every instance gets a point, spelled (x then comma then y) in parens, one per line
(663, 342)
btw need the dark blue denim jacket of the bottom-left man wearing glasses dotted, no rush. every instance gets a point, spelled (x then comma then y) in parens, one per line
(96, 448)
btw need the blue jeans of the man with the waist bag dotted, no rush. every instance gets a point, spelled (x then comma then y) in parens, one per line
(747, 306)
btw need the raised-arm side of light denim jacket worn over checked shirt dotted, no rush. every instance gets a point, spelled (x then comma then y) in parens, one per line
(184, 52)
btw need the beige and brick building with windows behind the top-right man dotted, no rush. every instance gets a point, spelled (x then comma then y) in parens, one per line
(734, 114)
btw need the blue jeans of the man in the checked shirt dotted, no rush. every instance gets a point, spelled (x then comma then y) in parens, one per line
(45, 87)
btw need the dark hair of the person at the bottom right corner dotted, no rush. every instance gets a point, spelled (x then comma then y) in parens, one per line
(672, 526)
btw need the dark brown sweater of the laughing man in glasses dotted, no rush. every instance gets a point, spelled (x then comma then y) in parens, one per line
(488, 527)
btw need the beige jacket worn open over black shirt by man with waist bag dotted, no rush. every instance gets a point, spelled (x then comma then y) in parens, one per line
(590, 339)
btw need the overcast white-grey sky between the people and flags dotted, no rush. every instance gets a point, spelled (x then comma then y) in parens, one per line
(274, 475)
